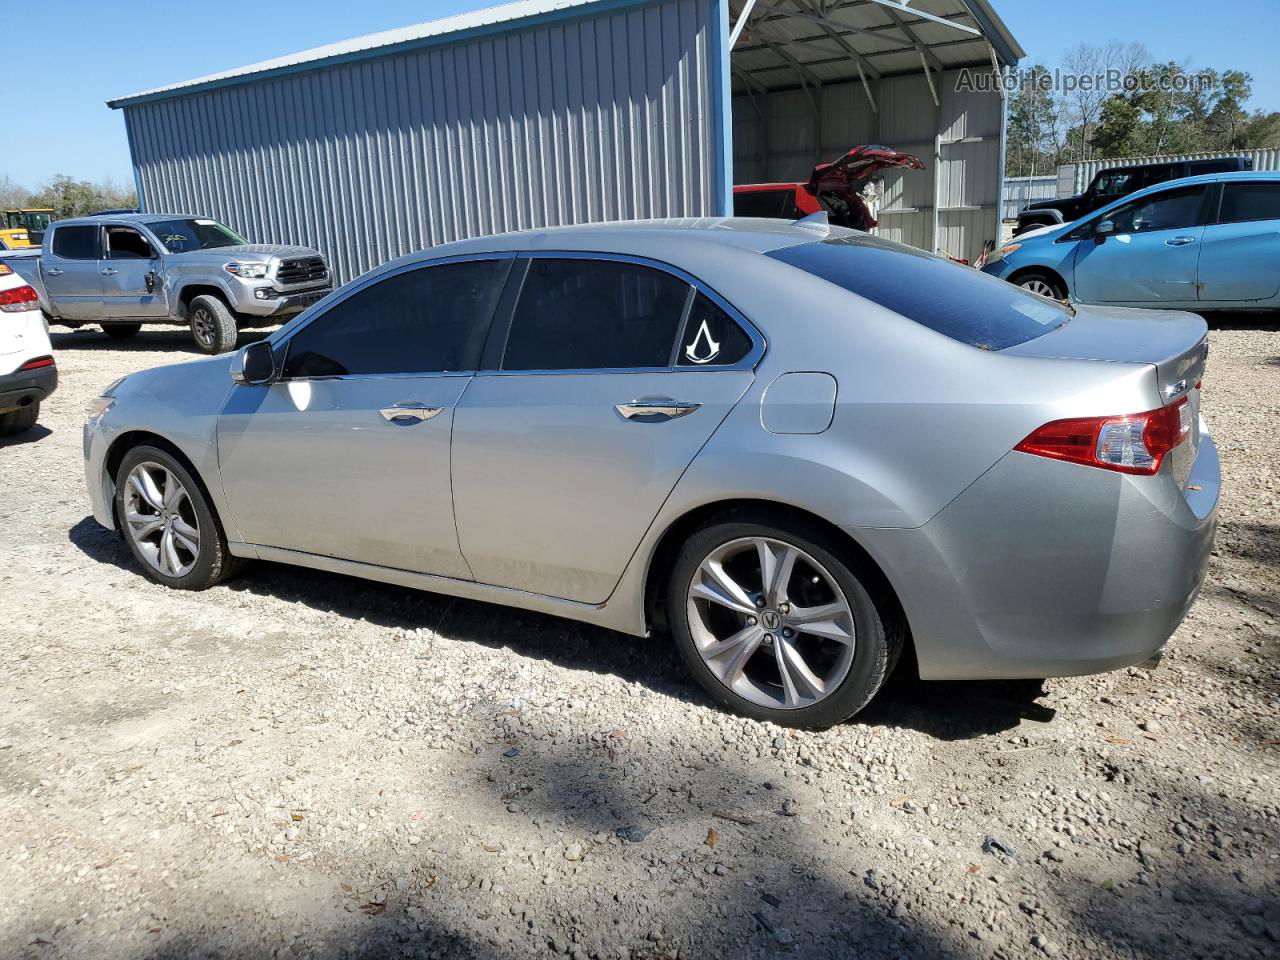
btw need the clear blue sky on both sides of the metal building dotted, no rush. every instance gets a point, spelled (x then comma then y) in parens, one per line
(72, 57)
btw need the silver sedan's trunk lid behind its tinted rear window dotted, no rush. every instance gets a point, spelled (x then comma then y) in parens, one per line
(1174, 342)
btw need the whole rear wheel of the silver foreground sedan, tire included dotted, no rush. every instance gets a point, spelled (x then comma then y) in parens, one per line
(776, 625)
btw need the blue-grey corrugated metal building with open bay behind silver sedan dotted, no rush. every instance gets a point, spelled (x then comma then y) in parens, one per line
(552, 112)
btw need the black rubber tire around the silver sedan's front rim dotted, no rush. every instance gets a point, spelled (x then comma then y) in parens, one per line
(213, 564)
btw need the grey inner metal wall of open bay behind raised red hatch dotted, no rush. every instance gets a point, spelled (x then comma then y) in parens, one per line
(780, 138)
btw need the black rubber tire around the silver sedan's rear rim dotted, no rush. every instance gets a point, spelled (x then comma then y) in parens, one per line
(877, 646)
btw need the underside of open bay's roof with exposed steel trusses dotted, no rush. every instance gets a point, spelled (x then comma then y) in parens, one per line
(810, 43)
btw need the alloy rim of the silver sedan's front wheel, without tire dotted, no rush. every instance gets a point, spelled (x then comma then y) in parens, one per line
(162, 519)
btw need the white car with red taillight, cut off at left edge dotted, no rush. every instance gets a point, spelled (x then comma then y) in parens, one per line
(28, 369)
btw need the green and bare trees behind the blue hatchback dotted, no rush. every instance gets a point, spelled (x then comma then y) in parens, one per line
(1163, 108)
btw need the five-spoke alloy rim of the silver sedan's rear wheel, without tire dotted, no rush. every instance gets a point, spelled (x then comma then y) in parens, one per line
(771, 623)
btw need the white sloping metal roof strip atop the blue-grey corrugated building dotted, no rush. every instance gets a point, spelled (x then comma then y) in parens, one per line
(491, 19)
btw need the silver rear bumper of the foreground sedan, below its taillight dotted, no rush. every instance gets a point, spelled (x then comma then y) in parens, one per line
(1045, 569)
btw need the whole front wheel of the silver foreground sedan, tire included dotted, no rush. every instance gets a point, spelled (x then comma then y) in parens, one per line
(168, 523)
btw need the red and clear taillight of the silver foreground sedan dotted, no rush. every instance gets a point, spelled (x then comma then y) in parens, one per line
(1135, 444)
